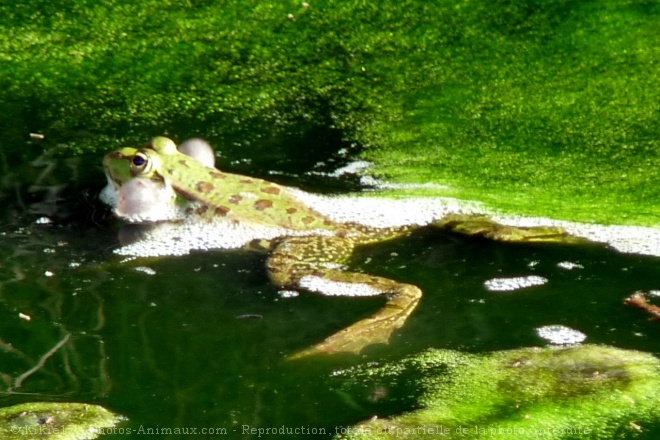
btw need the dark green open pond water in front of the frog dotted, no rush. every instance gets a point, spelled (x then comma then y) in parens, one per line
(199, 342)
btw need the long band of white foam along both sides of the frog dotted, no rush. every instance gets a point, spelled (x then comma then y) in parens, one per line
(379, 212)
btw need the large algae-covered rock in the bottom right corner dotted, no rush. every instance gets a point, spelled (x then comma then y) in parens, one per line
(551, 393)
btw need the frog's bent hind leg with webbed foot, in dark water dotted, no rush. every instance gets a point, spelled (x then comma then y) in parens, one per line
(313, 264)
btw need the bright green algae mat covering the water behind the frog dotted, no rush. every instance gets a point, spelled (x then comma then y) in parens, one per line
(546, 108)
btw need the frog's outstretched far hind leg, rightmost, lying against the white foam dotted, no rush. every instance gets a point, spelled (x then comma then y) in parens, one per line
(480, 226)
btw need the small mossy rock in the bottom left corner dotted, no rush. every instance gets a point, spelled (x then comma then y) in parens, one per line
(55, 420)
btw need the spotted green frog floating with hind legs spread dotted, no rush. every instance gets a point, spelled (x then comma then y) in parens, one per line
(306, 249)
